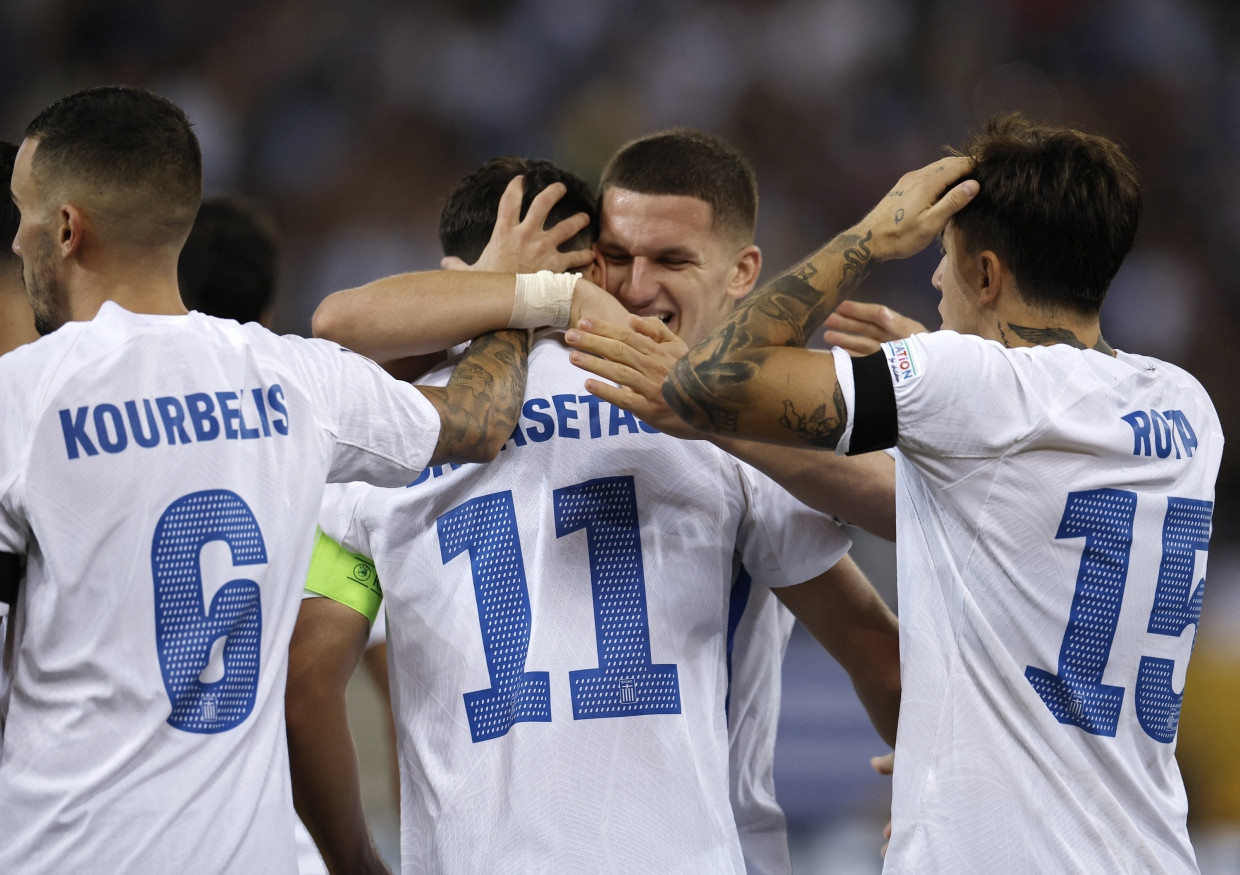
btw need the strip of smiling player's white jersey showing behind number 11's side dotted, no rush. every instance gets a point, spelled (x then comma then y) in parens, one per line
(757, 648)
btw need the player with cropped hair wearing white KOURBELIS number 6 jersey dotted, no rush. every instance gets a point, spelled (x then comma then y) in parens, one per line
(162, 472)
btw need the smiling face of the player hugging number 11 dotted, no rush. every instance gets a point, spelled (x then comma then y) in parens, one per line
(664, 258)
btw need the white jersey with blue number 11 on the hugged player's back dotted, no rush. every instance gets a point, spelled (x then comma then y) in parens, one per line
(557, 624)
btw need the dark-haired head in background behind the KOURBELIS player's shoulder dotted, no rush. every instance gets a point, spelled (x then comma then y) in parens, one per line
(228, 267)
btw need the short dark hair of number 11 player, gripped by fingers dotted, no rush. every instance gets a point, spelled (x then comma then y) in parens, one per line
(469, 214)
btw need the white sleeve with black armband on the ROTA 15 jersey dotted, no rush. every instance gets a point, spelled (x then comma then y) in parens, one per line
(952, 396)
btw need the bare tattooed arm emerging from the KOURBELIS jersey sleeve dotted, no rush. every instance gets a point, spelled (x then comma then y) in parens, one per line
(482, 402)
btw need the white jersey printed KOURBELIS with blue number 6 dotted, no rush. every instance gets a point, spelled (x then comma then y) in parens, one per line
(163, 475)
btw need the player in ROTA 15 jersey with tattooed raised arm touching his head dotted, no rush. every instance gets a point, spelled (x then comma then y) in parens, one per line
(1055, 503)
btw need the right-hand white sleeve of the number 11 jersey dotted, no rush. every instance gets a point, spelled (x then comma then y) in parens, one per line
(783, 542)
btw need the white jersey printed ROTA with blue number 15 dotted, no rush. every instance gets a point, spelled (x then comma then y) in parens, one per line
(1053, 521)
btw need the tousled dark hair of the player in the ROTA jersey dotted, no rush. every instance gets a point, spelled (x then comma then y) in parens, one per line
(1058, 206)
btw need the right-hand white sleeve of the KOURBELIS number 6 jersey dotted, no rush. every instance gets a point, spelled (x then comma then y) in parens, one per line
(385, 431)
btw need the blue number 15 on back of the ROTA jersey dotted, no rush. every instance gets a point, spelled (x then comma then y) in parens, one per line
(1076, 695)
